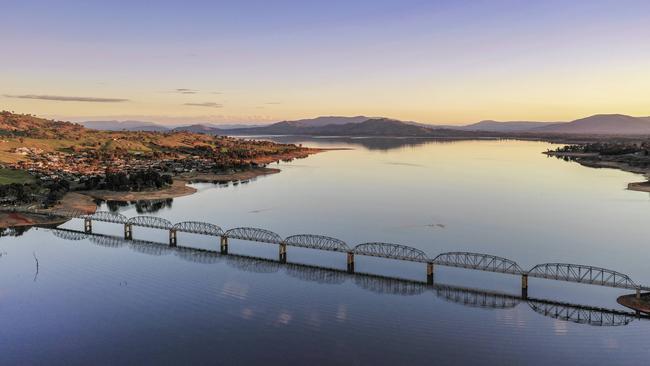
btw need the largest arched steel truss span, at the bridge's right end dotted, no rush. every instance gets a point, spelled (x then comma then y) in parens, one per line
(583, 274)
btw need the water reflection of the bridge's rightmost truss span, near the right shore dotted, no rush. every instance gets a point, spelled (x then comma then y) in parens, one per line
(581, 314)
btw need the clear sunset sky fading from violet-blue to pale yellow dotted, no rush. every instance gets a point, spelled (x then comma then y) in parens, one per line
(254, 61)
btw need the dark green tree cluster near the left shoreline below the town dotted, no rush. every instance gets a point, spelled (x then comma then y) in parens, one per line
(131, 181)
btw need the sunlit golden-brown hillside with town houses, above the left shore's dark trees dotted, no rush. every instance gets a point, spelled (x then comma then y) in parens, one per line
(25, 136)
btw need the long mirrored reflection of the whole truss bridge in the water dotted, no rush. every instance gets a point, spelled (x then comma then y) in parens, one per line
(581, 314)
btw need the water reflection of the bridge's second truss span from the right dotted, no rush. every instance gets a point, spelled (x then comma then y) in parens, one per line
(477, 298)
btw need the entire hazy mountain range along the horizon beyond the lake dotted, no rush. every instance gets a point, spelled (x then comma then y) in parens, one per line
(601, 124)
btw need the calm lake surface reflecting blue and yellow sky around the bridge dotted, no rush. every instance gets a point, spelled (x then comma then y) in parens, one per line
(103, 300)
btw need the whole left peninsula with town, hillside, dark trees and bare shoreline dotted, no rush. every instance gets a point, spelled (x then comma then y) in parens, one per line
(48, 166)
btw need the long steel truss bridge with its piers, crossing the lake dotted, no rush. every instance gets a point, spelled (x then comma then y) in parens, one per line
(476, 261)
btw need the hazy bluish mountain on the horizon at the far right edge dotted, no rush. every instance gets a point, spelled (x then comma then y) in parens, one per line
(601, 124)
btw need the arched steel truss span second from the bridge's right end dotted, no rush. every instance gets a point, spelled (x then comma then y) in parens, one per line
(477, 261)
